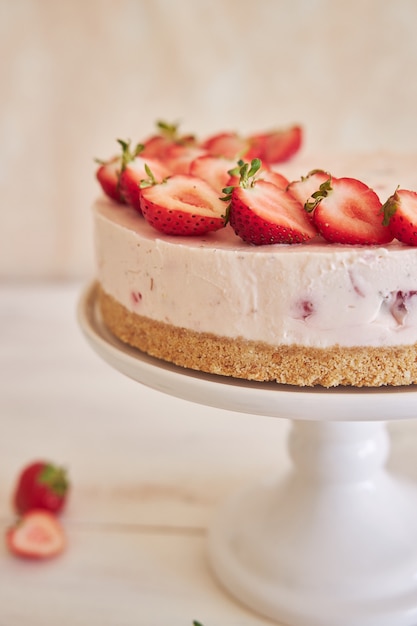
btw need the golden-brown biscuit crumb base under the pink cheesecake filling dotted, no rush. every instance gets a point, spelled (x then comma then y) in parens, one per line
(253, 360)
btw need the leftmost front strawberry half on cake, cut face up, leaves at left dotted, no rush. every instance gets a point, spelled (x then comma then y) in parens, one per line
(183, 205)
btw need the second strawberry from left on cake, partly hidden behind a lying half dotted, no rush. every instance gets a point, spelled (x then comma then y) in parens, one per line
(134, 173)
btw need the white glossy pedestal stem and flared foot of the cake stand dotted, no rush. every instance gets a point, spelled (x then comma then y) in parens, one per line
(333, 543)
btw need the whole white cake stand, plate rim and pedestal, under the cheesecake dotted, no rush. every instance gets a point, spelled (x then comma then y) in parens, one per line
(333, 542)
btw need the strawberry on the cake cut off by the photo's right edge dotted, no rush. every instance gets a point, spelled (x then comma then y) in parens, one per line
(400, 215)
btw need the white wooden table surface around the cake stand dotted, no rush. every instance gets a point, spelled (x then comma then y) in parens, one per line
(147, 470)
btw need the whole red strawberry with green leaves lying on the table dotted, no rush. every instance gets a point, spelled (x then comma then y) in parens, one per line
(41, 485)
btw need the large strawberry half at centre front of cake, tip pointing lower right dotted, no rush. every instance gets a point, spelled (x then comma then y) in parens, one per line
(261, 213)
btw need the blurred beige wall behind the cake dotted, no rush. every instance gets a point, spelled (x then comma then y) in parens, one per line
(77, 74)
